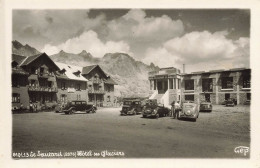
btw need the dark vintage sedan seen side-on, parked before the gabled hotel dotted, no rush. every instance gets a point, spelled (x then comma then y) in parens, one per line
(77, 105)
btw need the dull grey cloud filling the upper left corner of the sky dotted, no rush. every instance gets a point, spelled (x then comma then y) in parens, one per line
(52, 26)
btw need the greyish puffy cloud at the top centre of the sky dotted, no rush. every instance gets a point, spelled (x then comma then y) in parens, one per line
(136, 24)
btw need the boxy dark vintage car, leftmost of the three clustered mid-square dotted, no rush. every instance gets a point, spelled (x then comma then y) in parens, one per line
(131, 106)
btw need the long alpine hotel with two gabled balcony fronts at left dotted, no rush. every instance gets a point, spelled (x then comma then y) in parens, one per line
(45, 83)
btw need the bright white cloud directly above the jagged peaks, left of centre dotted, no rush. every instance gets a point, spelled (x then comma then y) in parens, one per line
(90, 42)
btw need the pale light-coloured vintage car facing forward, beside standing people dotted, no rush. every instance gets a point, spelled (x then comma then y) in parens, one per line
(189, 110)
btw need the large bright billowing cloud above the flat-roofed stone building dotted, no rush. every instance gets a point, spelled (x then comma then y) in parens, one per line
(201, 51)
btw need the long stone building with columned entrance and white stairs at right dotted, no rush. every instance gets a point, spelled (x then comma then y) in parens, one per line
(215, 86)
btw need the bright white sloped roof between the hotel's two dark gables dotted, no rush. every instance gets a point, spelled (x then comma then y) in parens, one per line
(70, 70)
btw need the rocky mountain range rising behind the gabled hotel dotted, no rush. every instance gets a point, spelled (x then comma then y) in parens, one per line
(130, 74)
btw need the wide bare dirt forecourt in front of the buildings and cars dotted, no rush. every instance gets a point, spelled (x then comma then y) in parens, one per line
(214, 135)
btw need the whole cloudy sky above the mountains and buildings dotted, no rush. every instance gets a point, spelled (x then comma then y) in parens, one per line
(200, 39)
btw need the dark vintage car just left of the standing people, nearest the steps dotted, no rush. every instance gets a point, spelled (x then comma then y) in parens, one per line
(152, 109)
